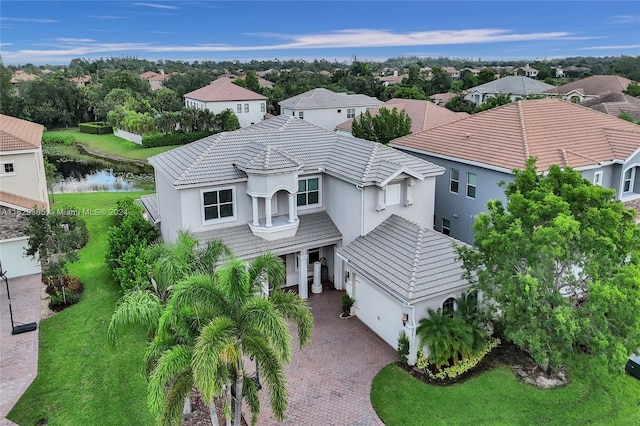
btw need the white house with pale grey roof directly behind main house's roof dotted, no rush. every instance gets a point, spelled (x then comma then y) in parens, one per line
(325, 108)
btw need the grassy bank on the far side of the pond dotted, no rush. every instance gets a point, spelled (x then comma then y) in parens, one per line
(112, 145)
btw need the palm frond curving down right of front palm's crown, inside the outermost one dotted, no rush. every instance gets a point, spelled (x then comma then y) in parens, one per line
(260, 317)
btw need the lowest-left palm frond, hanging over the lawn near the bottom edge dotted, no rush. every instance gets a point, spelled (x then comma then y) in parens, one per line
(174, 361)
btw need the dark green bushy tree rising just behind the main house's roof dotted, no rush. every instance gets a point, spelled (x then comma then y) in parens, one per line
(383, 127)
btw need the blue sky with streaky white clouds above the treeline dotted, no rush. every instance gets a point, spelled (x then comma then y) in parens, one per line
(54, 32)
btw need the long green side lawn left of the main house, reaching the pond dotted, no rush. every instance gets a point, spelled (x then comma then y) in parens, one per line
(82, 380)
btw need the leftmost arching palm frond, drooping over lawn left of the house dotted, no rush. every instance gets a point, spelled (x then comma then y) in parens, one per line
(139, 308)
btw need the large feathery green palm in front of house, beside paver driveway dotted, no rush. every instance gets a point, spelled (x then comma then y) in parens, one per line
(233, 320)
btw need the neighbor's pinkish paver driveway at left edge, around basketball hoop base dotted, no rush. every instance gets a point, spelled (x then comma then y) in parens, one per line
(18, 353)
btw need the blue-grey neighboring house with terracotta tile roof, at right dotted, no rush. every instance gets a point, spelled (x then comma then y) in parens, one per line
(480, 151)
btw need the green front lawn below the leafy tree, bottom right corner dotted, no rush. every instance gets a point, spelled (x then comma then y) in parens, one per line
(496, 398)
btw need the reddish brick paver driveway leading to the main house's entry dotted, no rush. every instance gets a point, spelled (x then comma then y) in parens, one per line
(329, 381)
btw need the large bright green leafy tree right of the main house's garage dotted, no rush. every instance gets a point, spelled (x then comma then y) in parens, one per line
(561, 261)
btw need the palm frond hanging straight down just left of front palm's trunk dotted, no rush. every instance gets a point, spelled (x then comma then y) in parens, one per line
(214, 351)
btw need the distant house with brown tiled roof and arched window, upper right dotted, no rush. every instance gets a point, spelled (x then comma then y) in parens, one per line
(590, 88)
